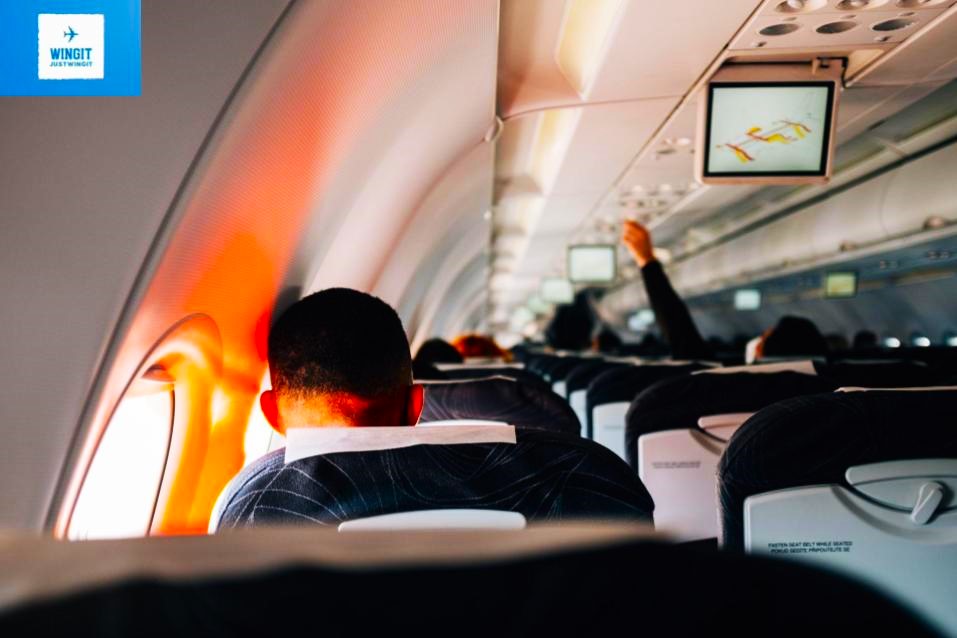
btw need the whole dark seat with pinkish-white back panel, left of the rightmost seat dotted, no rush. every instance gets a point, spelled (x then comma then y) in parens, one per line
(677, 429)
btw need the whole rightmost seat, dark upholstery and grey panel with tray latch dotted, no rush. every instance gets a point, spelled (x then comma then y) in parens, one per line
(860, 482)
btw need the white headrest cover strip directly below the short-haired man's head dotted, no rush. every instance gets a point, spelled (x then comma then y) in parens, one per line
(303, 443)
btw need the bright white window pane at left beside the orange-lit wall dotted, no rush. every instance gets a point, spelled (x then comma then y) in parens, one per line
(119, 493)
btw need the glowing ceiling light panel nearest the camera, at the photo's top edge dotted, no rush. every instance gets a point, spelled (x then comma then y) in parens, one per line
(585, 35)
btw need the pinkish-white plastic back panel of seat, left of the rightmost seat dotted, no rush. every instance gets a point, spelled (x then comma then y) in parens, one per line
(678, 469)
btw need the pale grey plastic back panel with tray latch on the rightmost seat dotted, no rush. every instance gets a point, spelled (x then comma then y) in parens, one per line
(892, 524)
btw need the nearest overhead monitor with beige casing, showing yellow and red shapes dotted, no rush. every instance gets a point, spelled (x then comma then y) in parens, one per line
(775, 128)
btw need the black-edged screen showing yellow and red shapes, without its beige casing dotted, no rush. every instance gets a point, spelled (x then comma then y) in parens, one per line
(758, 129)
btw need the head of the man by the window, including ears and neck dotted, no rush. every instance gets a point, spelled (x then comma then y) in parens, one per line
(339, 357)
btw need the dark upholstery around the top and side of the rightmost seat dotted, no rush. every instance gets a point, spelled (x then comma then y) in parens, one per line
(812, 440)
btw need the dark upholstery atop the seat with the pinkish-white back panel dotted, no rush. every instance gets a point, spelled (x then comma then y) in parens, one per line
(678, 403)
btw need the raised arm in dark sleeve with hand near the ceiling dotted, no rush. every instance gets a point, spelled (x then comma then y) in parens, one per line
(671, 314)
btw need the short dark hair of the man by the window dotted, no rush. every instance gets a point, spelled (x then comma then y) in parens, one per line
(339, 340)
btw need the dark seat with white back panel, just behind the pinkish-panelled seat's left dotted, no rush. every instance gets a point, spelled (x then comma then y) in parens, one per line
(621, 385)
